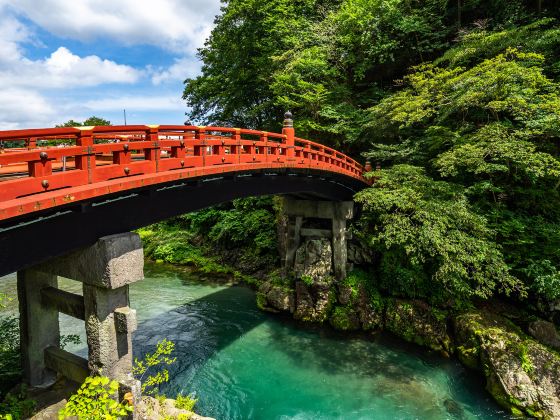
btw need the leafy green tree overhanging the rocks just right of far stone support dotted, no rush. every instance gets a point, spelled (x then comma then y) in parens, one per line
(433, 225)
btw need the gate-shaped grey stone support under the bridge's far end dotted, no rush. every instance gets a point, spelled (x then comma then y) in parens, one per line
(297, 211)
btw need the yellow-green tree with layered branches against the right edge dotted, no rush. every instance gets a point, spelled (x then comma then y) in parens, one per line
(492, 129)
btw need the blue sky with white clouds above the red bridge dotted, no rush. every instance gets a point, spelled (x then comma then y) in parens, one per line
(62, 60)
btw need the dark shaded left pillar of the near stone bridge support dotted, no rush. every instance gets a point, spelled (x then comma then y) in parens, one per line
(39, 328)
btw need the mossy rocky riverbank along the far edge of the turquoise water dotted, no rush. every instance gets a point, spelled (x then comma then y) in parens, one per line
(515, 351)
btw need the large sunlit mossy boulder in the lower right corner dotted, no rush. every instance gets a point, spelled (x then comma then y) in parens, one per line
(522, 374)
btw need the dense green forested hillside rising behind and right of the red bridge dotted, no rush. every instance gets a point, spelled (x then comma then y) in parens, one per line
(459, 103)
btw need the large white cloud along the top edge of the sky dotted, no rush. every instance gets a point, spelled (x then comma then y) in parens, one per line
(177, 25)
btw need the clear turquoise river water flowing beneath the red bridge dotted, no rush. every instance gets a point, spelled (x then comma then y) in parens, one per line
(245, 364)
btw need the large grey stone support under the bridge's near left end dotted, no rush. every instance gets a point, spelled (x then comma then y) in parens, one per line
(106, 269)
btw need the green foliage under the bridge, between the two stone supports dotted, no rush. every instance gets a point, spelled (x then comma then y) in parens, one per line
(235, 236)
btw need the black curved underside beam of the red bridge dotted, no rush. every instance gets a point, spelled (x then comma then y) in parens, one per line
(35, 238)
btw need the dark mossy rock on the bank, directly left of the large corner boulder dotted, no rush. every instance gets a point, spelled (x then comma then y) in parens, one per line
(417, 322)
